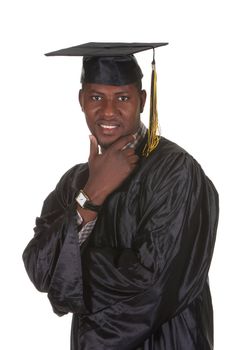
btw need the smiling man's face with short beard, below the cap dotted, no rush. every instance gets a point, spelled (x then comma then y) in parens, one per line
(111, 111)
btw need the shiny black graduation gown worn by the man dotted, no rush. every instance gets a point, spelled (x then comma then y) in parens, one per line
(140, 281)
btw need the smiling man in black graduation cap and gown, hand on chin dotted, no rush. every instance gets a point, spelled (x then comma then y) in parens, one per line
(125, 242)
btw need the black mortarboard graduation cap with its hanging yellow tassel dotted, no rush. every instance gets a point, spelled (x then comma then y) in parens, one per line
(115, 64)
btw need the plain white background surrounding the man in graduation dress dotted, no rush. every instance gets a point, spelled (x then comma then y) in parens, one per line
(43, 132)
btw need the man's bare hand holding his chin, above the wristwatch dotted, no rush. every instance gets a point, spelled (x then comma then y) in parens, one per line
(108, 170)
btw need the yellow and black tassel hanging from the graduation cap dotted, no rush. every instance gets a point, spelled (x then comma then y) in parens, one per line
(153, 137)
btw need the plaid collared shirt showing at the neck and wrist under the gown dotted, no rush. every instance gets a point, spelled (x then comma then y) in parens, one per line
(87, 229)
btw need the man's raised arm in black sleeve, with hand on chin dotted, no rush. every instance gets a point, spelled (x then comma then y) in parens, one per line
(52, 257)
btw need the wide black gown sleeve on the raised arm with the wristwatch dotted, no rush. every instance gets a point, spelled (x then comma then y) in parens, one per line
(52, 257)
